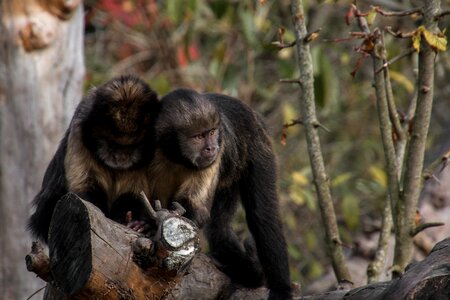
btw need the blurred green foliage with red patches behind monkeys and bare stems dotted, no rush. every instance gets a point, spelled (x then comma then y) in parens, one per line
(226, 46)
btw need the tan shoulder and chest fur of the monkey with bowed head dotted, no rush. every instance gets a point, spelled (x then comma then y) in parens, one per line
(82, 170)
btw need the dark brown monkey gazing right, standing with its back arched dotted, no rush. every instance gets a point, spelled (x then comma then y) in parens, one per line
(211, 151)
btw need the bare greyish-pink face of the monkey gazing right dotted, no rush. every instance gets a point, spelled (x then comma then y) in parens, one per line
(201, 148)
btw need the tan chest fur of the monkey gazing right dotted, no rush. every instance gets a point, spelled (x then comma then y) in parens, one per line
(170, 181)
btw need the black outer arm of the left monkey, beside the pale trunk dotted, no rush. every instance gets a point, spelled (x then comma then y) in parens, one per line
(54, 186)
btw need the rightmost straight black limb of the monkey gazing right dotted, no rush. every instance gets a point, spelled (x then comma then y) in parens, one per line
(261, 206)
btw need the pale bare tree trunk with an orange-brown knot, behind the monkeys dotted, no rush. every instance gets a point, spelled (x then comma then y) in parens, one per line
(41, 75)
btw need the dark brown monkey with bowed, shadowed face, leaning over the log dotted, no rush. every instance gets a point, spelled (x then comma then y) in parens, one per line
(104, 154)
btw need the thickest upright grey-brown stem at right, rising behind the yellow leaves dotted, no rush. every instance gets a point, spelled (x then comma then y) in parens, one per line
(415, 154)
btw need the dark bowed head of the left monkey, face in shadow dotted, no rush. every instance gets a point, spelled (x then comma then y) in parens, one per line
(119, 126)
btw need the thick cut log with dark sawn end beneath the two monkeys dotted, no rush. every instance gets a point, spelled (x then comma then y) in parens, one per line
(92, 257)
